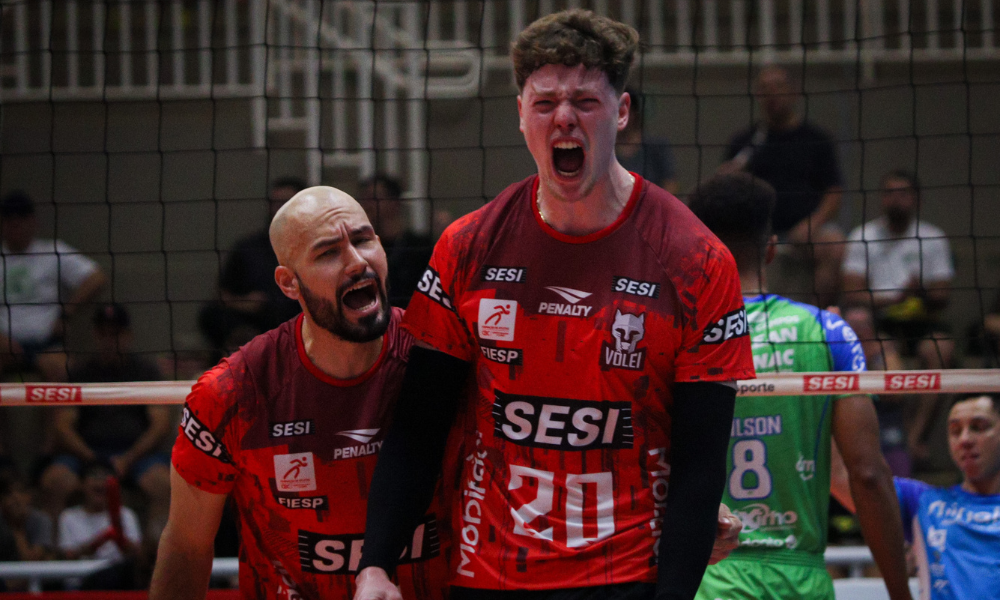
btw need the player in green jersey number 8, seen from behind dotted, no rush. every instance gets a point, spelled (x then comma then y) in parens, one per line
(779, 451)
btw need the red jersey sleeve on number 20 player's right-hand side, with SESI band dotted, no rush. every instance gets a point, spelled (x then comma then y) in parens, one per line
(717, 347)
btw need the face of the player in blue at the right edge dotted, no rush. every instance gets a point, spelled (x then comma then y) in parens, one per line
(974, 438)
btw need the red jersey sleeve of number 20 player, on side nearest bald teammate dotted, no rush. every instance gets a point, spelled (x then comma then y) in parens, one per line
(432, 317)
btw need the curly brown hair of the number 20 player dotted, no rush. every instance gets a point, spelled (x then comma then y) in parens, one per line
(573, 37)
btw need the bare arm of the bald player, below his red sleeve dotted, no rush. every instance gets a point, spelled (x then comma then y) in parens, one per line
(184, 557)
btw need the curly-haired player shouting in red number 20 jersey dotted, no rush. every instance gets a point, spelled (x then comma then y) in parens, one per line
(602, 327)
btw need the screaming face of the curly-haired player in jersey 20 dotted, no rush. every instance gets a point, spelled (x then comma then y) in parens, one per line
(570, 117)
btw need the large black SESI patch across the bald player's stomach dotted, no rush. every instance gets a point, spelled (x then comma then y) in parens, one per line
(340, 554)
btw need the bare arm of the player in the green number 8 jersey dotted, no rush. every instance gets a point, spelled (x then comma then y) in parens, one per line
(855, 429)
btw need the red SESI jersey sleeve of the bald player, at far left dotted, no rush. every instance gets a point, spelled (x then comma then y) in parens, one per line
(200, 454)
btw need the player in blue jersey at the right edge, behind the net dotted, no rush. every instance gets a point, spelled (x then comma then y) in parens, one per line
(955, 531)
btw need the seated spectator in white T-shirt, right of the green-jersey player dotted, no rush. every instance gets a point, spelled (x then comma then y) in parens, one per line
(900, 269)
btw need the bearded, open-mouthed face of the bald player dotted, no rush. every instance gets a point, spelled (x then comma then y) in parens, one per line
(342, 277)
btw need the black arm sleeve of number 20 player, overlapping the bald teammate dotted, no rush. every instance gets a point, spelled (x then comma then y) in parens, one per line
(410, 458)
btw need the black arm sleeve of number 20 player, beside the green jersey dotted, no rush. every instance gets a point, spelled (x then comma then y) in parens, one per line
(701, 419)
